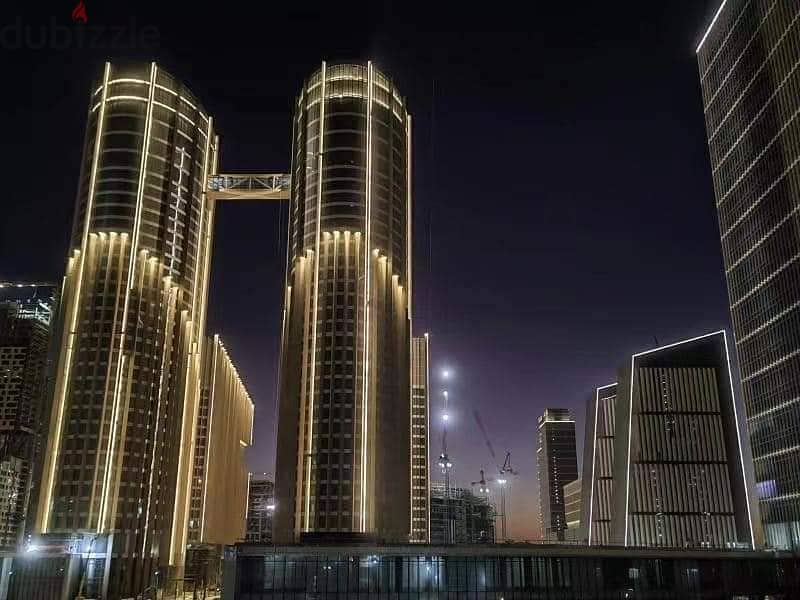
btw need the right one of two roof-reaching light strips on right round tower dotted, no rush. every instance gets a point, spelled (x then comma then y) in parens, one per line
(367, 268)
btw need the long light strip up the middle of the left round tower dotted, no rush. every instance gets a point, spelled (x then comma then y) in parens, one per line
(131, 268)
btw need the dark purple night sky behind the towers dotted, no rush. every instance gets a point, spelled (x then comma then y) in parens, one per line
(564, 212)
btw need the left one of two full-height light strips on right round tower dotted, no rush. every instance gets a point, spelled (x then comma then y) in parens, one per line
(320, 150)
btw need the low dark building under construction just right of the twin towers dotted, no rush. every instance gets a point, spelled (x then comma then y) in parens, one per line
(460, 517)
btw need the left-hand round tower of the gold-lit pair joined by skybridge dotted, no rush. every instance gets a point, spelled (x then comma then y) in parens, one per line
(119, 454)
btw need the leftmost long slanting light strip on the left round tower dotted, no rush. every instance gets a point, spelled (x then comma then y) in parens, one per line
(66, 348)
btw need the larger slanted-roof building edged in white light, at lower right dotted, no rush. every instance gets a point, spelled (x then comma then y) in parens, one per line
(678, 467)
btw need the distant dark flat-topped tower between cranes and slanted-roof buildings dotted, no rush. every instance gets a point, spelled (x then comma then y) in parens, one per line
(557, 459)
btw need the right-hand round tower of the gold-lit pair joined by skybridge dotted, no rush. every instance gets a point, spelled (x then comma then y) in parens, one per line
(344, 442)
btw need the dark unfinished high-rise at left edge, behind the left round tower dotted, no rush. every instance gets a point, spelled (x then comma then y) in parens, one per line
(25, 318)
